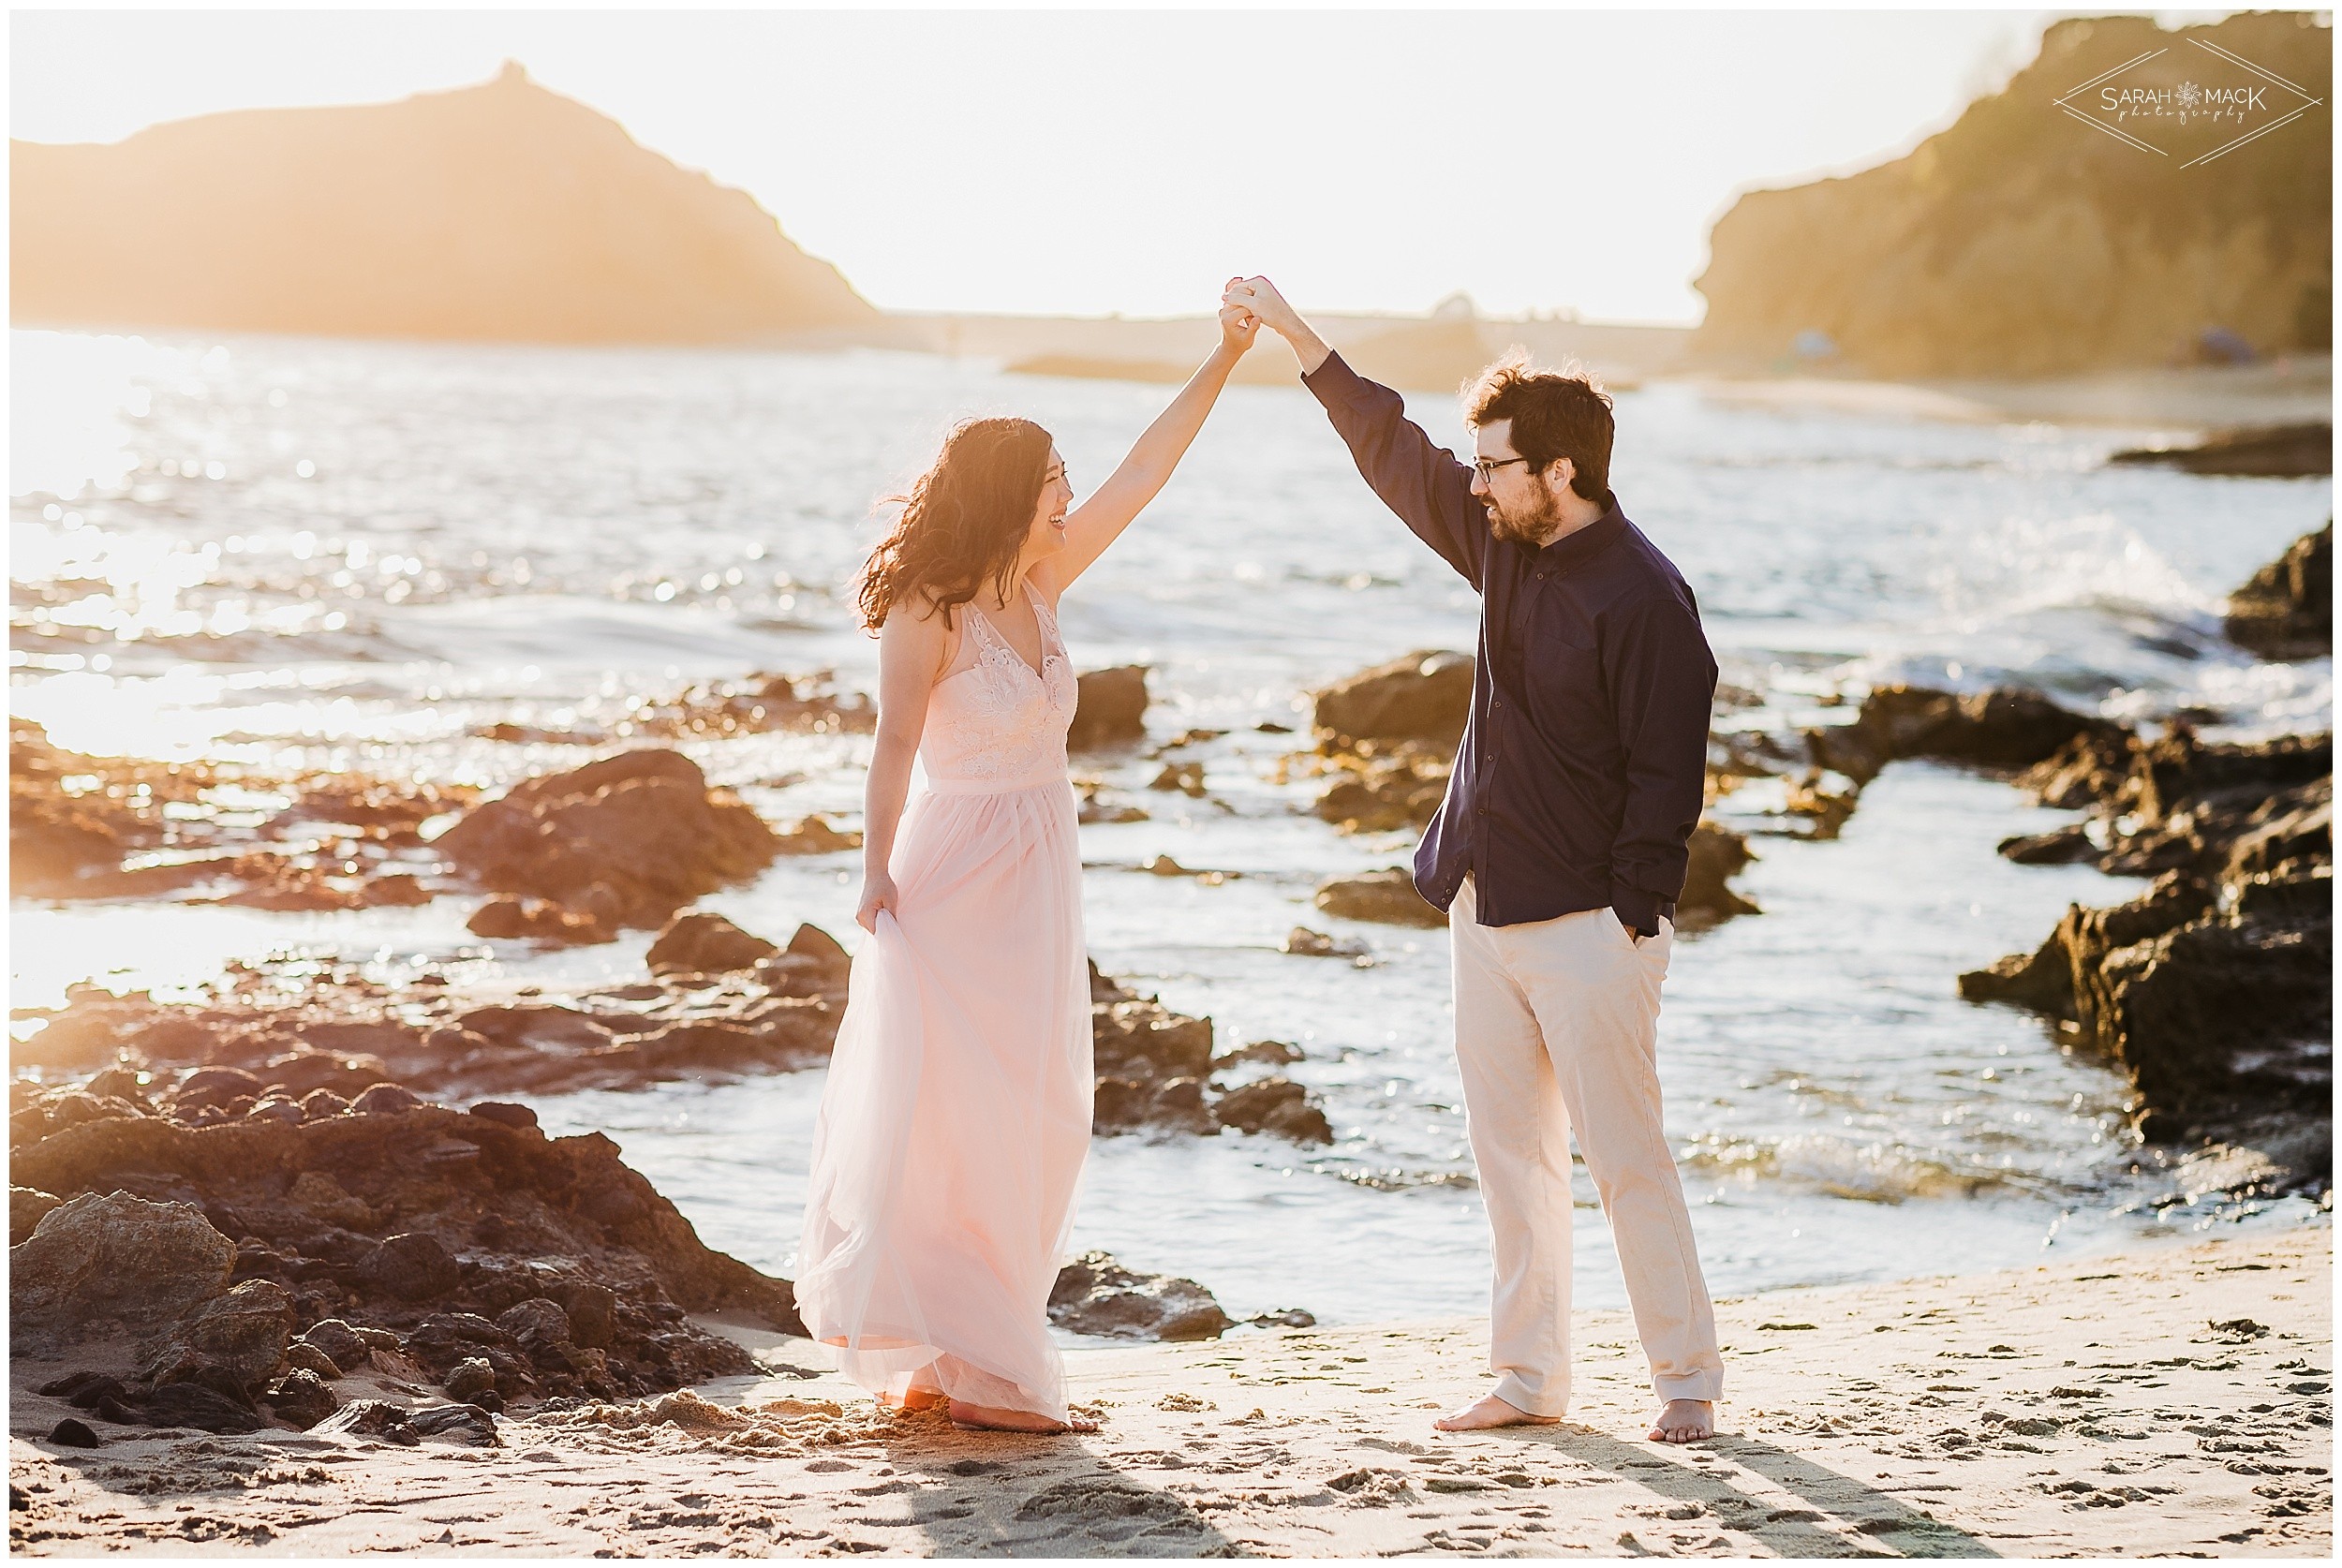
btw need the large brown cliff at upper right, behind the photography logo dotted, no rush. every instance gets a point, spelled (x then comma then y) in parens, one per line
(2020, 242)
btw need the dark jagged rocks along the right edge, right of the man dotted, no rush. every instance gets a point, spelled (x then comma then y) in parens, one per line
(2214, 989)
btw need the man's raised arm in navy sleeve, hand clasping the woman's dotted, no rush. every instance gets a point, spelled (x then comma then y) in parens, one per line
(1416, 479)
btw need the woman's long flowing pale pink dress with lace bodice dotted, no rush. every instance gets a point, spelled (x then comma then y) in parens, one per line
(957, 1115)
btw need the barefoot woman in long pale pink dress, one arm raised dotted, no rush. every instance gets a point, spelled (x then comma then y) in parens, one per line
(959, 1101)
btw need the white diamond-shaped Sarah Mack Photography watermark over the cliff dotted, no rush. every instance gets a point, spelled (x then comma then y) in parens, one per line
(2191, 106)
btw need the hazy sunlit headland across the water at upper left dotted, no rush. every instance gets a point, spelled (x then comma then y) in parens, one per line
(495, 212)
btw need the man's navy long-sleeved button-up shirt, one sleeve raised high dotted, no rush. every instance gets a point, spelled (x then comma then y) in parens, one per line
(1584, 759)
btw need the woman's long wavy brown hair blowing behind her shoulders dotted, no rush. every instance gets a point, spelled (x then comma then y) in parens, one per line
(964, 521)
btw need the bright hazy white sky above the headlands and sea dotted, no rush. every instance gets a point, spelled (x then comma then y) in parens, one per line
(1088, 163)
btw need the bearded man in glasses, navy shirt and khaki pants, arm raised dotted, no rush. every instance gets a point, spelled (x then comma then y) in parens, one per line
(1559, 853)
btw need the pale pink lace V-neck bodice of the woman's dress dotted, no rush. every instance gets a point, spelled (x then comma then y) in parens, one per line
(994, 722)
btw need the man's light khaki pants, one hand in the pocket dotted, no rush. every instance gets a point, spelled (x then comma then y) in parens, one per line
(1556, 1031)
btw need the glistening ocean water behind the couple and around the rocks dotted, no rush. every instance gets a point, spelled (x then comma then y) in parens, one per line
(357, 556)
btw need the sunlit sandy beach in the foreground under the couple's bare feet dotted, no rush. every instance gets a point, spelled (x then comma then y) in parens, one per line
(2172, 1401)
